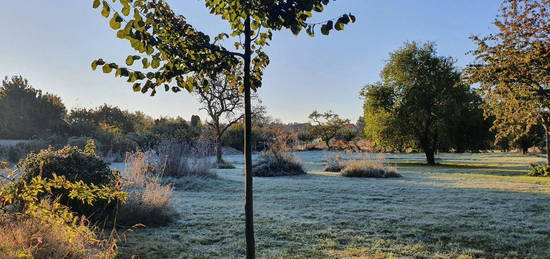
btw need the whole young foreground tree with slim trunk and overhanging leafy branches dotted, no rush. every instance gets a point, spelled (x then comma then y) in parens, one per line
(175, 54)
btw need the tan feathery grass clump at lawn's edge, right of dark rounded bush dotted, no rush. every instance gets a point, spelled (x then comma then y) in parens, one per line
(149, 199)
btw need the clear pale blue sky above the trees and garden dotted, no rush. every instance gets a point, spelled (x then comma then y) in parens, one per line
(53, 42)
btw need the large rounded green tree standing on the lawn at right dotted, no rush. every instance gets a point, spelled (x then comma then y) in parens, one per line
(418, 104)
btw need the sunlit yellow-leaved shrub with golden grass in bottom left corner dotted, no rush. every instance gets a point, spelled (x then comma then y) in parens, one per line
(32, 225)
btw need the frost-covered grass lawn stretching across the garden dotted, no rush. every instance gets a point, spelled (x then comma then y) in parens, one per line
(490, 210)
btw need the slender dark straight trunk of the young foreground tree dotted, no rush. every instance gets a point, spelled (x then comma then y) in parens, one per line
(248, 203)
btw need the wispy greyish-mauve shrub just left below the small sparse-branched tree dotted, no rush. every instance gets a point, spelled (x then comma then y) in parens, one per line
(186, 159)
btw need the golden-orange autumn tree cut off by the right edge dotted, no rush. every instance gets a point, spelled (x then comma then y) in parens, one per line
(513, 68)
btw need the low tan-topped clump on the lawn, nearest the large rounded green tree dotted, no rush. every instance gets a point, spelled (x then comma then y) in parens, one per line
(369, 167)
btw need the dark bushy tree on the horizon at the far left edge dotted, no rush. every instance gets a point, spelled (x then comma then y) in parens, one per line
(26, 112)
